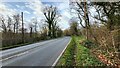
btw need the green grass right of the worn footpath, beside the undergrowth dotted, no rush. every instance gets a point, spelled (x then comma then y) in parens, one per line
(84, 57)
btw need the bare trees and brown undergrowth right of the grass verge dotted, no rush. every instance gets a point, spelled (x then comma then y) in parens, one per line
(105, 30)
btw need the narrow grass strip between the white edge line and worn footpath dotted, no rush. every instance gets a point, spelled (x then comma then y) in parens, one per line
(67, 59)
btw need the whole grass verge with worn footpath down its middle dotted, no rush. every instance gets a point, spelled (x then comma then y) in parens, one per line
(78, 55)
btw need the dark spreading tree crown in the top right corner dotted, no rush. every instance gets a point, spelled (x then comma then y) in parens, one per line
(107, 13)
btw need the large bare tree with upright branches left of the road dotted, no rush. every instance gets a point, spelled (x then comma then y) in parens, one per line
(51, 15)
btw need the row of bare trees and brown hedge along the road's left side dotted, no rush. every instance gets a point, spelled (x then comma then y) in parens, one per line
(14, 31)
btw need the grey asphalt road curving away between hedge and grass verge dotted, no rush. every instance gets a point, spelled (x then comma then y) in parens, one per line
(44, 54)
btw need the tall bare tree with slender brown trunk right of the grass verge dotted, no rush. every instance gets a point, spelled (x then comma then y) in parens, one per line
(82, 10)
